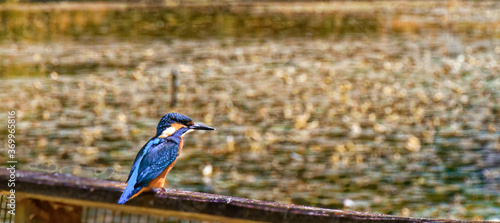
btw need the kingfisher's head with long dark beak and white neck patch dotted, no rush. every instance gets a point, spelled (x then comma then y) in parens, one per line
(177, 123)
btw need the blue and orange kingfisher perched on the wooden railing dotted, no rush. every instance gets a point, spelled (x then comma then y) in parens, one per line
(158, 156)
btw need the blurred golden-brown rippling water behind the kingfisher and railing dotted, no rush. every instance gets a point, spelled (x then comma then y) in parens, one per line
(382, 106)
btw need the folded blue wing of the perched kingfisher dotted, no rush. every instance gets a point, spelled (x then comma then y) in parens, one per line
(156, 159)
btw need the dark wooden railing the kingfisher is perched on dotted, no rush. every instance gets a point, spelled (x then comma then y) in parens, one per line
(46, 197)
